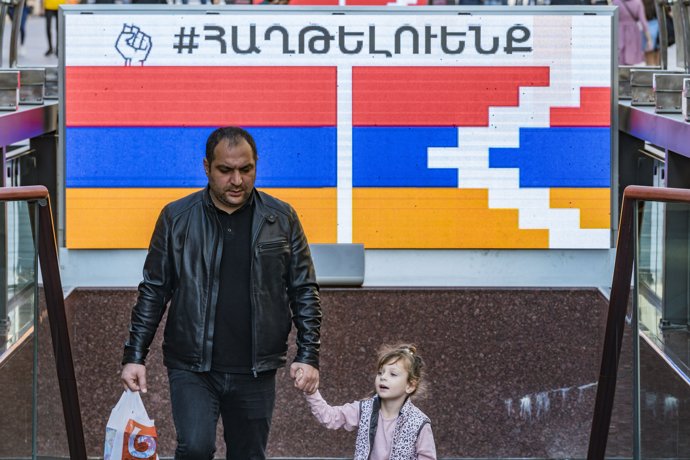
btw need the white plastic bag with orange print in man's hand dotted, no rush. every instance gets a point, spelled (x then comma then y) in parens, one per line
(130, 434)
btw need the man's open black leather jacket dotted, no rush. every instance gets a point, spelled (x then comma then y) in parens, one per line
(182, 268)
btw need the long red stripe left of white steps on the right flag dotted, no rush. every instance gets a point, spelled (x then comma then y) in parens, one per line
(437, 96)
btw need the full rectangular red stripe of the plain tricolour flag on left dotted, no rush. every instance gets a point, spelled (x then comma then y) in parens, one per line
(200, 96)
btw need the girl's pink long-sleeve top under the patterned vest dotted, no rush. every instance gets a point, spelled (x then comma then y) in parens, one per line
(347, 417)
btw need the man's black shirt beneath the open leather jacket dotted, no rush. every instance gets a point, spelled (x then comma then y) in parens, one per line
(232, 339)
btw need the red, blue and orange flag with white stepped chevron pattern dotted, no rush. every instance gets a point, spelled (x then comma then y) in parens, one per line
(399, 114)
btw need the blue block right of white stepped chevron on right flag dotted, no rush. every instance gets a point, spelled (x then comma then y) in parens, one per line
(559, 157)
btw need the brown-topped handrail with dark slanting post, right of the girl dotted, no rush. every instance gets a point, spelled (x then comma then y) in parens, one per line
(634, 197)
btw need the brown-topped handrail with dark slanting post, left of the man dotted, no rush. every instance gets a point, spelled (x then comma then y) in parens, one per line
(55, 305)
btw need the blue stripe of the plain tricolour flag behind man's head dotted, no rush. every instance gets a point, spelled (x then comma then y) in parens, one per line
(172, 157)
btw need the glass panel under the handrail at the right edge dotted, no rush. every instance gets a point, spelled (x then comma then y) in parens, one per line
(662, 301)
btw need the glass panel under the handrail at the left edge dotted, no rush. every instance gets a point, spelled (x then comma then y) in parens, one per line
(17, 345)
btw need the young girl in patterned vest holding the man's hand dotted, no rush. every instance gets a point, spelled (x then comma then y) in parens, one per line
(390, 426)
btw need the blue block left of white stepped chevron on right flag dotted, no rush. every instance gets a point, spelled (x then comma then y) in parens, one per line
(397, 157)
